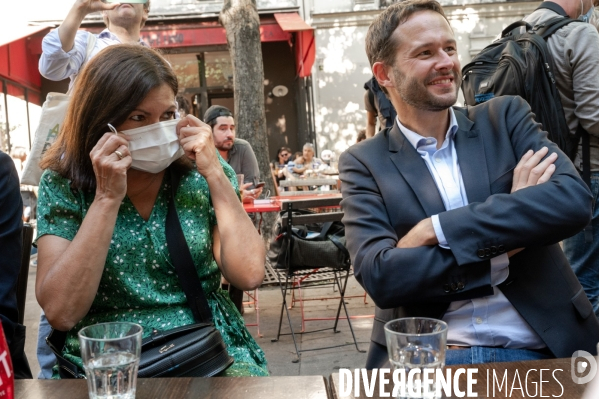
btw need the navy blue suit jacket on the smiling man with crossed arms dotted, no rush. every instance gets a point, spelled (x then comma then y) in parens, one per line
(387, 189)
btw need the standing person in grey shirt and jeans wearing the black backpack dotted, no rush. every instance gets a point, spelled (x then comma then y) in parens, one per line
(575, 51)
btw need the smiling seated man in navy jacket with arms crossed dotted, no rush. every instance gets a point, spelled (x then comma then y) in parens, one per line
(456, 213)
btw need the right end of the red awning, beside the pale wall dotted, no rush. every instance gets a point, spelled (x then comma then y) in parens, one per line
(305, 49)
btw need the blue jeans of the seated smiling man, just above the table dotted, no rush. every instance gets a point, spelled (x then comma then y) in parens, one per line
(481, 354)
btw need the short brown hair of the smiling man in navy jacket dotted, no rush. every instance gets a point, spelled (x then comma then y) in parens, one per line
(380, 45)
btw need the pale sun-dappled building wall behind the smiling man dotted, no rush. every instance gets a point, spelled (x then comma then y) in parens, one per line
(341, 67)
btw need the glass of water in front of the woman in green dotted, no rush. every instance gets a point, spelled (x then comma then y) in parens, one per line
(110, 354)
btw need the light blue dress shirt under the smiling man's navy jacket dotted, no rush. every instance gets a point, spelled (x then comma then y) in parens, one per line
(486, 321)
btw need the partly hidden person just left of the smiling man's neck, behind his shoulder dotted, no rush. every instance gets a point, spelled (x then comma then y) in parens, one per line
(377, 105)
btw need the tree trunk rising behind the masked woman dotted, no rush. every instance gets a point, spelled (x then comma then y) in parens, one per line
(242, 23)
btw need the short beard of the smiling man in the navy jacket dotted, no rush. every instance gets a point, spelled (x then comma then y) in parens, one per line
(414, 94)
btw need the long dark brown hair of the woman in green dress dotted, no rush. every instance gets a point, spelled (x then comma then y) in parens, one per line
(108, 89)
